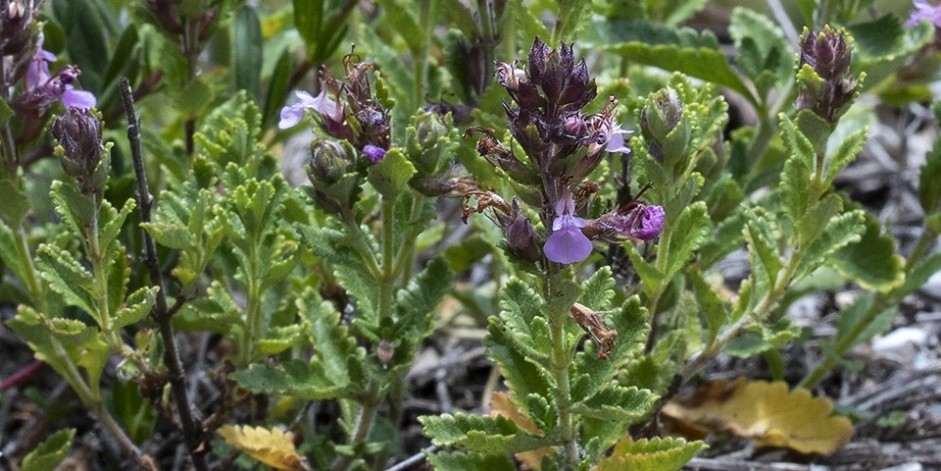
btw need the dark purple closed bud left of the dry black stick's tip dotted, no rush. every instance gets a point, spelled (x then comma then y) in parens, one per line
(78, 132)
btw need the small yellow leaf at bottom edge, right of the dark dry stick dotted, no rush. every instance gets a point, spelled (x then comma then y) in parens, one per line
(273, 447)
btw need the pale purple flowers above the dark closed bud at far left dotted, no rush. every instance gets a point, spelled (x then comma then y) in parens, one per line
(48, 88)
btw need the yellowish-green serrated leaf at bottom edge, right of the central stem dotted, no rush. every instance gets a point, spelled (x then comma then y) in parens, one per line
(655, 454)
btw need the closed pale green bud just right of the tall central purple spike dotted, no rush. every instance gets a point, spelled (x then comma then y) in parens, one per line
(666, 132)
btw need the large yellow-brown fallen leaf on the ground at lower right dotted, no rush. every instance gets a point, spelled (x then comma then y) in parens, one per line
(767, 413)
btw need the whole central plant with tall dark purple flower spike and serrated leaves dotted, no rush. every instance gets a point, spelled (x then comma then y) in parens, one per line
(574, 405)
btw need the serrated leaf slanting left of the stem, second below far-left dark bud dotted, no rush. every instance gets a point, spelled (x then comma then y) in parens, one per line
(67, 277)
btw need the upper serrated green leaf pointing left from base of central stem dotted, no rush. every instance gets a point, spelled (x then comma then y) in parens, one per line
(481, 434)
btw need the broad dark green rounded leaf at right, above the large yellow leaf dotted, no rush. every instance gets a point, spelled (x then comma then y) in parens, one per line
(871, 262)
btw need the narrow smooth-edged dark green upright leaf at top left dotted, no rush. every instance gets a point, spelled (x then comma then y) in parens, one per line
(248, 51)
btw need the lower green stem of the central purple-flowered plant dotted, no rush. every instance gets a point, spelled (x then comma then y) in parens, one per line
(561, 358)
